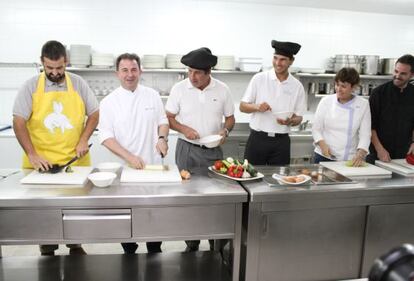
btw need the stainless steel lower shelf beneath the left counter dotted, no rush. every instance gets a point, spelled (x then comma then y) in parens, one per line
(198, 266)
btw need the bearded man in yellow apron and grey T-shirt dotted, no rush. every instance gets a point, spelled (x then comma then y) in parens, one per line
(49, 118)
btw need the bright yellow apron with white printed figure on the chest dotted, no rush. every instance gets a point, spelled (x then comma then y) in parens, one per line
(56, 124)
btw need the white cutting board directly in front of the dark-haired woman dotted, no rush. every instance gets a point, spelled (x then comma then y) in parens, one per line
(369, 171)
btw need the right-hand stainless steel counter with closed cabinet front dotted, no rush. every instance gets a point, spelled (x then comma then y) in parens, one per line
(324, 232)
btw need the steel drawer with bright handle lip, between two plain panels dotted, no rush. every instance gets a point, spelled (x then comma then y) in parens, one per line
(97, 224)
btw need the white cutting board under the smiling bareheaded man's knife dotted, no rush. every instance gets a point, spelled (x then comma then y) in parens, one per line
(133, 175)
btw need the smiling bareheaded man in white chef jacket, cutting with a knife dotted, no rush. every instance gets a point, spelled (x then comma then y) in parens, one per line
(133, 124)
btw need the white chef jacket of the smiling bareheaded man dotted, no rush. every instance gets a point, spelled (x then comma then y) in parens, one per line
(132, 118)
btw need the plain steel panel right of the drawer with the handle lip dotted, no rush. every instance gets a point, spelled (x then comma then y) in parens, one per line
(182, 221)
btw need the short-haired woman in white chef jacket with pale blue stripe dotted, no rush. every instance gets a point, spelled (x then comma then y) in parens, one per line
(342, 124)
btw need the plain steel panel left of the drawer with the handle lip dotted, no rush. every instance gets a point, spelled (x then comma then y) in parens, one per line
(29, 224)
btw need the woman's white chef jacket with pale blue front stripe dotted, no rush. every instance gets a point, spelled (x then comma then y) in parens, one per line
(344, 127)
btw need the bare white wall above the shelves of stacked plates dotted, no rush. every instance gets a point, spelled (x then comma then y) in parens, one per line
(177, 26)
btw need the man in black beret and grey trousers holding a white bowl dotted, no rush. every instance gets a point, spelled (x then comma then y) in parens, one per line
(195, 108)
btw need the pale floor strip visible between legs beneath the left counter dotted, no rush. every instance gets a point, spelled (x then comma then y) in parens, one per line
(96, 249)
